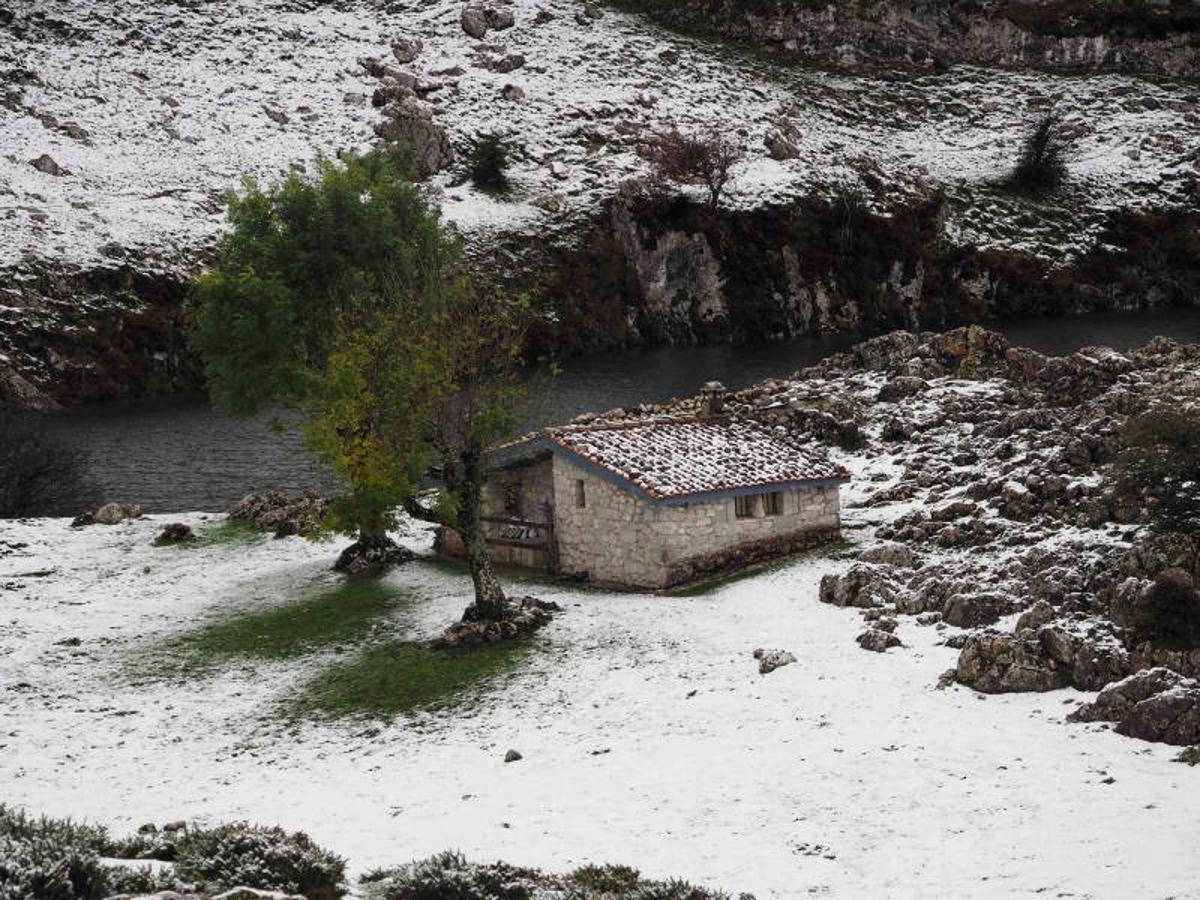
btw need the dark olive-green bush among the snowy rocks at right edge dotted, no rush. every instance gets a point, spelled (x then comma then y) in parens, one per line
(1162, 461)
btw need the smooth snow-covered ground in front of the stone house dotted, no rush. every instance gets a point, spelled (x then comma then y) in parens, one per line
(649, 736)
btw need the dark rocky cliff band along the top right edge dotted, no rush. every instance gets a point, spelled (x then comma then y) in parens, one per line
(1156, 39)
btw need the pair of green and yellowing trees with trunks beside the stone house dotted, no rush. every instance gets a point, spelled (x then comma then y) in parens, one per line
(343, 297)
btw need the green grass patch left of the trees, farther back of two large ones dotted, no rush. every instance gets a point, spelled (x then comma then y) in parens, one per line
(340, 615)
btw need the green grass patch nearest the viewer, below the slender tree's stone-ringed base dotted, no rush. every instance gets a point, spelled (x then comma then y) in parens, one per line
(397, 677)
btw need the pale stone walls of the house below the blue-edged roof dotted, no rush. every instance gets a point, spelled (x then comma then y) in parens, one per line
(621, 539)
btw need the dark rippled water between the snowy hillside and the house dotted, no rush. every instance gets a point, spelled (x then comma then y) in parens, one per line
(176, 455)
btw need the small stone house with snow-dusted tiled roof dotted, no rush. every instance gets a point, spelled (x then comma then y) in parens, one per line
(658, 502)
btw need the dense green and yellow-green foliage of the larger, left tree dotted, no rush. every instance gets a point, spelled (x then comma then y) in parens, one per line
(319, 296)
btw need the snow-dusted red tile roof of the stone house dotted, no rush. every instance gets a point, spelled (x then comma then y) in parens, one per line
(667, 459)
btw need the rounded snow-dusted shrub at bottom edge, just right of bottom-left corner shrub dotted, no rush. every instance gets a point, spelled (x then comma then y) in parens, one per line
(266, 859)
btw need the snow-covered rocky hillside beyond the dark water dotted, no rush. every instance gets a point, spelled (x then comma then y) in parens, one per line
(155, 110)
